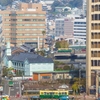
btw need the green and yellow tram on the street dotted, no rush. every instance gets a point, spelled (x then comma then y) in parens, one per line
(56, 94)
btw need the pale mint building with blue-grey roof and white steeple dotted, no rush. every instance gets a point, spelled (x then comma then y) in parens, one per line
(26, 62)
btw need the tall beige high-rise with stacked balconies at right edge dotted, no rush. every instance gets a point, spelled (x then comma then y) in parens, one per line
(93, 40)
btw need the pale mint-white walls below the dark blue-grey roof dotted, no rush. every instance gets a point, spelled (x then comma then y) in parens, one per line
(29, 68)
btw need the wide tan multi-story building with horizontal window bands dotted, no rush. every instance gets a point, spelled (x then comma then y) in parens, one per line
(24, 25)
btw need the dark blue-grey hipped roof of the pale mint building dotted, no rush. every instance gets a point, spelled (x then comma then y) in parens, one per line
(31, 57)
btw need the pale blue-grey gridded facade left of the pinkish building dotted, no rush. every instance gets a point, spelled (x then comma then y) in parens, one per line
(59, 27)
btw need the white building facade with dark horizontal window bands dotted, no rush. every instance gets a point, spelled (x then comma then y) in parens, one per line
(80, 28)
